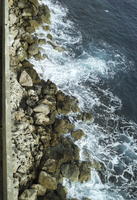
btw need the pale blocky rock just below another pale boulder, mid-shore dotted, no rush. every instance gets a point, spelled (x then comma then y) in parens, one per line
(41, 119)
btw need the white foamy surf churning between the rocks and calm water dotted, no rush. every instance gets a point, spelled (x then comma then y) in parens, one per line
(110, 139)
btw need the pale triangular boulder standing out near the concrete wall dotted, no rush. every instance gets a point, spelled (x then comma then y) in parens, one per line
(25, 79)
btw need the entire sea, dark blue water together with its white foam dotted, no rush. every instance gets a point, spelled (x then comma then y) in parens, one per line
(99, 67)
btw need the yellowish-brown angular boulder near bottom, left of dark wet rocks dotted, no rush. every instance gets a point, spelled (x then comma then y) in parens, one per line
(47, 181)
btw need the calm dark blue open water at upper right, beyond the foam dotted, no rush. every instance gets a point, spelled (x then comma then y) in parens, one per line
(114, 22)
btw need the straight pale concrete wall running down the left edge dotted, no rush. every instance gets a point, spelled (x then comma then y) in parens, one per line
(6, 145)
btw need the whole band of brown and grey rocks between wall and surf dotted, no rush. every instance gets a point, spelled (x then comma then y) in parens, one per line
(42, 154)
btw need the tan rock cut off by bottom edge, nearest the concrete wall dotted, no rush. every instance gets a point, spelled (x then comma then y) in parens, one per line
(29, 194)
